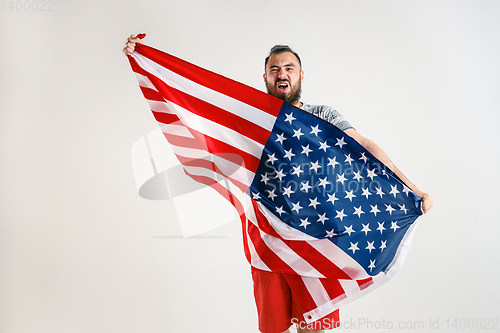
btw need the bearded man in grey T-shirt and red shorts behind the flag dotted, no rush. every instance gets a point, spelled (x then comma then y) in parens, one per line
(279, 297)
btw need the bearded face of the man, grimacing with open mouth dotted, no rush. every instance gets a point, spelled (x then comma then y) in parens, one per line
(283, 77)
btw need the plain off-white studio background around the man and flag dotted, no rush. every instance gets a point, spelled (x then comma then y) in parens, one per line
(81, 251)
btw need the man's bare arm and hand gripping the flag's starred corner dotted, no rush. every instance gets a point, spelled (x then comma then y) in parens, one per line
(427, 199)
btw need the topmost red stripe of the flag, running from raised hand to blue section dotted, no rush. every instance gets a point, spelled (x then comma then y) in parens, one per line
(214, 81)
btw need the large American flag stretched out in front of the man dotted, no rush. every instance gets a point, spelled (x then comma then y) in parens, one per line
(312, 201)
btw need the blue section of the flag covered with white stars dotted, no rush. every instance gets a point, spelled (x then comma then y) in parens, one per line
(320, 181)
